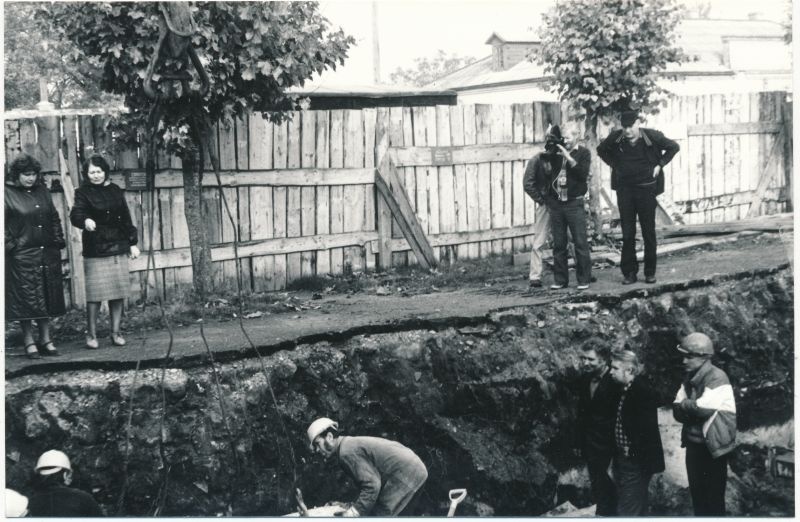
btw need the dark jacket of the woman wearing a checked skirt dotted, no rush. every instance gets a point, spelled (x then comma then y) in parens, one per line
(106, 205)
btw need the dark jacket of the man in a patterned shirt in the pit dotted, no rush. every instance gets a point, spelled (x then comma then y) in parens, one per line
(640, 422)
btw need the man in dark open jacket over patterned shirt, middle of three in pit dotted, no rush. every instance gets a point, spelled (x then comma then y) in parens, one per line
(638, 452)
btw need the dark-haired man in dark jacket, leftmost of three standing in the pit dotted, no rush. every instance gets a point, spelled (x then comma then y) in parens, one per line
(597, 408)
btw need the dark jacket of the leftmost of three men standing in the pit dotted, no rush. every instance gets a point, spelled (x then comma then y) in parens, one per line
(596, 416)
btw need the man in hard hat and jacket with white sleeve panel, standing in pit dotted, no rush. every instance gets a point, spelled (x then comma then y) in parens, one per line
(705, 405)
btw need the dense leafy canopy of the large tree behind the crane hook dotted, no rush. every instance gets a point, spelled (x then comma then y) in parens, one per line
(251, 51)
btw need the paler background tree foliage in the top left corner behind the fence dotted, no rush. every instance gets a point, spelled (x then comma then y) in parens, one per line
(33, 51)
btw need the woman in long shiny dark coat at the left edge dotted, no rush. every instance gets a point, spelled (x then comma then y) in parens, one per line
(34, 239)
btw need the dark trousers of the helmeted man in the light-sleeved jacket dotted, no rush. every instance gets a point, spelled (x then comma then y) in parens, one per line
(707, 480)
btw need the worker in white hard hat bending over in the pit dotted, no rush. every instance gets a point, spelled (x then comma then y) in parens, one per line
(387, 473)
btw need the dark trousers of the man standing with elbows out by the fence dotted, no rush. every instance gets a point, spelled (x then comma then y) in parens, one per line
(641, 202)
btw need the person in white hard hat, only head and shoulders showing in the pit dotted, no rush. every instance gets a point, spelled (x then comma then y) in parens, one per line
(54, 497)
